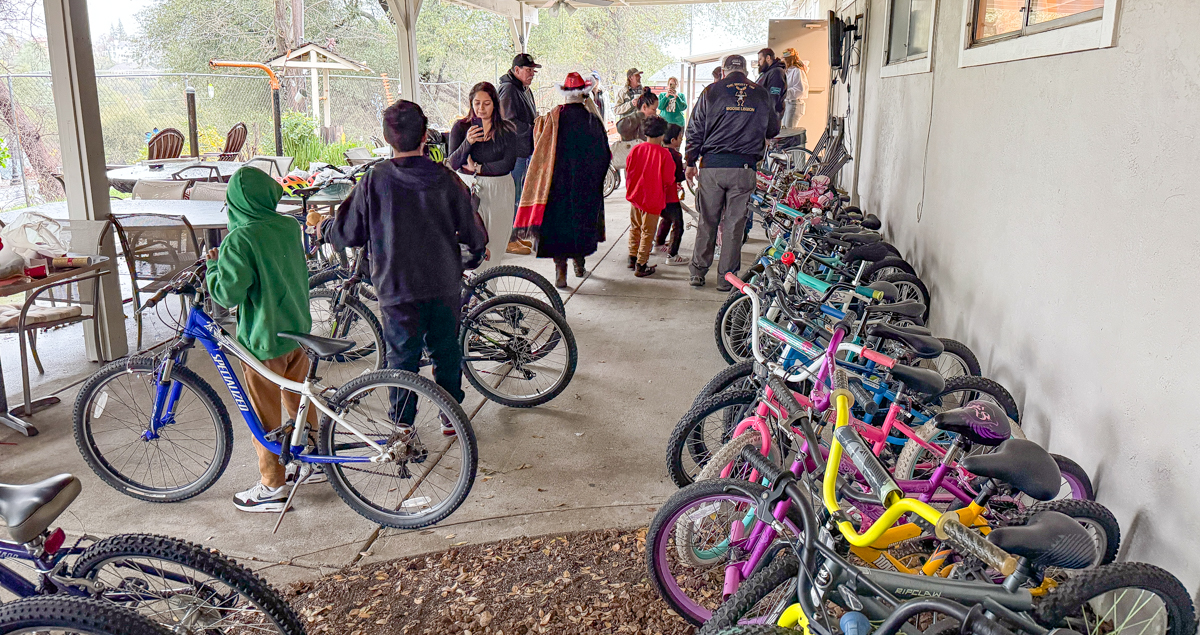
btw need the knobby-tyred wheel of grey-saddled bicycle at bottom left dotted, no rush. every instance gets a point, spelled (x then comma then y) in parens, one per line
(185, 588)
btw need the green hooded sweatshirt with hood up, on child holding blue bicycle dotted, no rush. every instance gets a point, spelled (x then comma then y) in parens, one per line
(261, 268)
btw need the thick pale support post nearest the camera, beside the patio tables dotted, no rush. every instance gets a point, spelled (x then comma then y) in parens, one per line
(82, 146)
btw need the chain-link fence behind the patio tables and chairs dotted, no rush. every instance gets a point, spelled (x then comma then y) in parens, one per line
(135, 105)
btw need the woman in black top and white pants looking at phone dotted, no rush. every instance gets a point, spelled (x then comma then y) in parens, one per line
(483, 147)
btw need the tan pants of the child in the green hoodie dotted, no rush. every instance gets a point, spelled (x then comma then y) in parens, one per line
(271, 402)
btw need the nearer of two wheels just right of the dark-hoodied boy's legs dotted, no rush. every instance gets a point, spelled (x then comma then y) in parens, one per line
(518, 352)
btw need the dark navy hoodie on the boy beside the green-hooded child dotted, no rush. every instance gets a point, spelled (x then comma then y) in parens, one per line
(412, 214)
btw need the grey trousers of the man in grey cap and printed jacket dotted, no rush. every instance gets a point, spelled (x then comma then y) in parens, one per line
(723, 201)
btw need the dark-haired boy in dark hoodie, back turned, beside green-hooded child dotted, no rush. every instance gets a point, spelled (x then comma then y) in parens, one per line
(412, 215)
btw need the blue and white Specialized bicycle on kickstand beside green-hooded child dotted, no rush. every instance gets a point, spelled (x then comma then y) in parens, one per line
(397, 448)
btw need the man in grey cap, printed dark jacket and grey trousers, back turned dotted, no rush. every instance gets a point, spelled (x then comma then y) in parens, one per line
(728, 133)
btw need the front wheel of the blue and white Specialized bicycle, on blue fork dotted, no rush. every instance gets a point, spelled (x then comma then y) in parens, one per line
(185, 457)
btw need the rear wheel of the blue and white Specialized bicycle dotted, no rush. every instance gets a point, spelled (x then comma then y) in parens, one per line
(430, 447)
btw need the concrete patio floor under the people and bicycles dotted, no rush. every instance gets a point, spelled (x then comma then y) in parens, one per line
(597, 452)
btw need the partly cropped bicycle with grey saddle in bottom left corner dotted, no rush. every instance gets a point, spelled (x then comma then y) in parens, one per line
(184, 588)
